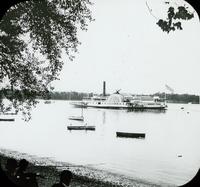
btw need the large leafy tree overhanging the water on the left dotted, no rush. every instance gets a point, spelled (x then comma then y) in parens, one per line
(33, 35)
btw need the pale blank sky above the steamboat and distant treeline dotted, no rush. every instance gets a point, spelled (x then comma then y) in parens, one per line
(125, 48)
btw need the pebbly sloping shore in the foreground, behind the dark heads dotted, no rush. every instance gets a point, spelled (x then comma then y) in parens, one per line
(82, 176)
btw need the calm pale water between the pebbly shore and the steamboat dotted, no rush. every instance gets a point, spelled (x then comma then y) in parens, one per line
(155, 158)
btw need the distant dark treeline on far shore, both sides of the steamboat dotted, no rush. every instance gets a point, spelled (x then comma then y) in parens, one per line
(171, 98)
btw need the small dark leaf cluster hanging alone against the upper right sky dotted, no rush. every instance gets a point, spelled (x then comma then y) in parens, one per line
(173, 19)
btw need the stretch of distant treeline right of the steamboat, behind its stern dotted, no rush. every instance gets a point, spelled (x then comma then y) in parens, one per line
(179, 98)
